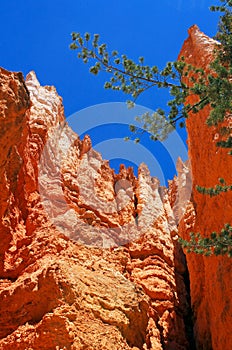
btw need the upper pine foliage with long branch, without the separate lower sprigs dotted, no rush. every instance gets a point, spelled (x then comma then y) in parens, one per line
(134, 78)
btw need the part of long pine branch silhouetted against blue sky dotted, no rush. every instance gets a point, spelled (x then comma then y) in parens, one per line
(134, 78)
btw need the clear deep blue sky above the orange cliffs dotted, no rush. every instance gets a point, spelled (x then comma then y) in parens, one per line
(35, 35)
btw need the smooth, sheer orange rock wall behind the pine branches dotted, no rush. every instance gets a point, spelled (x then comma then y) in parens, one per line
(210, 277)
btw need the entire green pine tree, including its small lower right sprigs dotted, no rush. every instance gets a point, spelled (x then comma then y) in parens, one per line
(213, 89)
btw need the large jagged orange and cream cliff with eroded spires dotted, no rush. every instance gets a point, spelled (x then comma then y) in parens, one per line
(89, 258)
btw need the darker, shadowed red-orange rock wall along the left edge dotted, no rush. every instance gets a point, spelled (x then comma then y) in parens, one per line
(15, 101)
